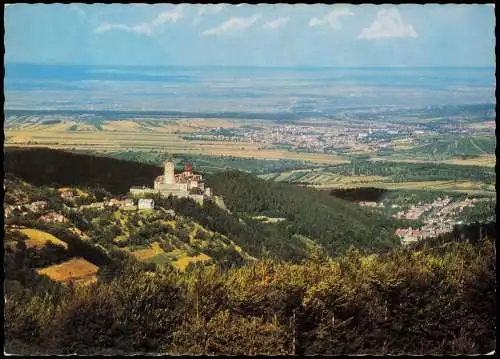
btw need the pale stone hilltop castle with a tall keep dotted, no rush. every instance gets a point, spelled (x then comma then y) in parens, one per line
(185, 184)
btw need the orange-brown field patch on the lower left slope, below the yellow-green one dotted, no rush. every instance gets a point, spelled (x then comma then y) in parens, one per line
(76, 269)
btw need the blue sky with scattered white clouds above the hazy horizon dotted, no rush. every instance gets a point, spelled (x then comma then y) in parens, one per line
(251, 35)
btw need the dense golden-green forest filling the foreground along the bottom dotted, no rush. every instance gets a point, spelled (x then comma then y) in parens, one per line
(437, 297)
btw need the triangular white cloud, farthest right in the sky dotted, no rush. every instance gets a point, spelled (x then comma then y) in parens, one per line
(387, 23)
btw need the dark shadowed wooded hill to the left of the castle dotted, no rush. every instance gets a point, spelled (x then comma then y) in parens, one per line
(48, 167)
